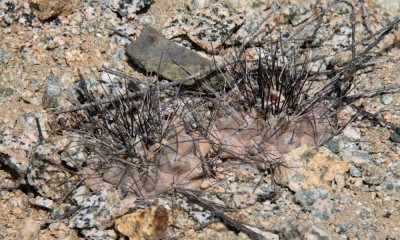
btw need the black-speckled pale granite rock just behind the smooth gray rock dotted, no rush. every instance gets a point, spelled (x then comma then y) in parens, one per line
(209, 28)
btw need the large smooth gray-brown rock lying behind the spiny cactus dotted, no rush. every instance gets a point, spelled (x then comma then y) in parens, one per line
(154, 53)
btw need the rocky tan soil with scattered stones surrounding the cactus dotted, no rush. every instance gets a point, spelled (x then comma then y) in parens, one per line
(347, 189)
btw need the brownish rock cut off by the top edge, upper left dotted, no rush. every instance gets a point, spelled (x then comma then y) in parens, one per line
(45, 9)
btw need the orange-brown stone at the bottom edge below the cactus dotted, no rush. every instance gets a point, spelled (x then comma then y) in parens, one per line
(149, 223)
